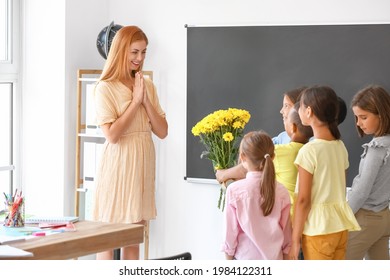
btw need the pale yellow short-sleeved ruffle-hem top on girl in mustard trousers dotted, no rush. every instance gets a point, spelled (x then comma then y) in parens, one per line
(330, 211)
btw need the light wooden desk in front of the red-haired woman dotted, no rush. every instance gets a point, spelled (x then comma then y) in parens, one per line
(90, 238)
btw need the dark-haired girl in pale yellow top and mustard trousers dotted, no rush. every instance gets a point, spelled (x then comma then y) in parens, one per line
(322, 216)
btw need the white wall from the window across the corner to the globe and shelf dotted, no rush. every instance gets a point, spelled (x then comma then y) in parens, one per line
(58, 38)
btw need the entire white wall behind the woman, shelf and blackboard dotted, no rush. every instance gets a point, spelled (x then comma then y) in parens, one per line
(188, 219)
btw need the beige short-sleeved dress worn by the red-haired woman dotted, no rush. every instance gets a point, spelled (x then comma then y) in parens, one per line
(125, 184)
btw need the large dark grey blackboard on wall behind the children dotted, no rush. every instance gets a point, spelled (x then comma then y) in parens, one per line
(250, 67)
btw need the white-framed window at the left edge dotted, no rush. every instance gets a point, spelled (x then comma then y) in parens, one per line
(9, 44)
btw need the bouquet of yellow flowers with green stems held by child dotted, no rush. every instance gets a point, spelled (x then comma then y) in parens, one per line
(220, 132)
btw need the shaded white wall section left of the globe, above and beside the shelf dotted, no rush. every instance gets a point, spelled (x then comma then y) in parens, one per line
(84, 20)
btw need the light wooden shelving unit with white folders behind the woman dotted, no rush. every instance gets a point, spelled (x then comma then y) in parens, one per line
(89, 139)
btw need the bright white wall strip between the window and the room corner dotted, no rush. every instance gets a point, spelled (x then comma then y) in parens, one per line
(43, 109)
